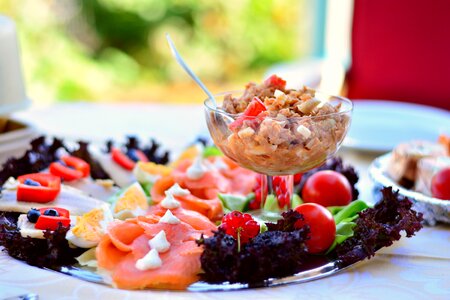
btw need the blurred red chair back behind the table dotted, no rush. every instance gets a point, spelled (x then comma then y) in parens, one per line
(401, 51)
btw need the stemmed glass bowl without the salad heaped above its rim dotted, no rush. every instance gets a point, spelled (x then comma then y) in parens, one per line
(278, 147)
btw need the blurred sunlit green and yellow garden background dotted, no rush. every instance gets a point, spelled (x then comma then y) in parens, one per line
(115, 50)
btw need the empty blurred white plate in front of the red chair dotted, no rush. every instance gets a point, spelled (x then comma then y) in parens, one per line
(379, 126)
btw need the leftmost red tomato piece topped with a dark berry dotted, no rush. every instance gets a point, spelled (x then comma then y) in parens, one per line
(38, 187)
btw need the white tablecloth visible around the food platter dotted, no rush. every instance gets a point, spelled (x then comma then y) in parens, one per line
(415, 268)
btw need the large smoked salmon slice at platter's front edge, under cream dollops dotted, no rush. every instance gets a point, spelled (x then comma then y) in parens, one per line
(128, 241)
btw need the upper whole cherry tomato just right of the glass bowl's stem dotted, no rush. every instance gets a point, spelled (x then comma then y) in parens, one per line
(327, 188)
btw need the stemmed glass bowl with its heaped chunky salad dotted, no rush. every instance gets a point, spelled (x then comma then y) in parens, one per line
(278, 132)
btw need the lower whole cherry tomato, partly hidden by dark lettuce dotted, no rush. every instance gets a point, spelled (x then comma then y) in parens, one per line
(321, 225)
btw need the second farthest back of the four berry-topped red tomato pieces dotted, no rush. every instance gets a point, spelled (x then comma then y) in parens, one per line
(70, 168)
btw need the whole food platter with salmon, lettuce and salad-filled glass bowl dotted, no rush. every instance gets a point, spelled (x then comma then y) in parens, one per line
(217, 217)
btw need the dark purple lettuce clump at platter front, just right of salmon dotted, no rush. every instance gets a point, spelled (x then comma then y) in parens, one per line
(271, 254)
